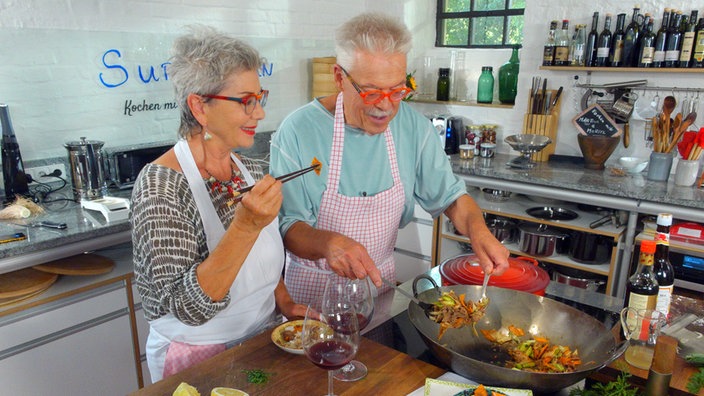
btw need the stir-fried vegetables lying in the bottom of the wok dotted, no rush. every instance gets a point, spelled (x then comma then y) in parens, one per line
(536, 354)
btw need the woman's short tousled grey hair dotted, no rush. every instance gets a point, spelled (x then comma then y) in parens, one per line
(201, 61)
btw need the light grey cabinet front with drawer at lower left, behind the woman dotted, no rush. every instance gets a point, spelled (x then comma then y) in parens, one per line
(76, 345)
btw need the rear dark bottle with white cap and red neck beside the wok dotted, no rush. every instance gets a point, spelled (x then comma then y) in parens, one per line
(662, 268)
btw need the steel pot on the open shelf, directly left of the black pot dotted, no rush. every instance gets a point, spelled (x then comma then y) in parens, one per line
(541, 240)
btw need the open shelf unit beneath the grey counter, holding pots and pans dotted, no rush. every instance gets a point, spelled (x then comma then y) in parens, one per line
(450, 244)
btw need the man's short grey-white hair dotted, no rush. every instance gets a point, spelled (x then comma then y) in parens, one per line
(370, 32)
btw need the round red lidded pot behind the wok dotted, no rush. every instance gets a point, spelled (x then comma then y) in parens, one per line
(521, 275)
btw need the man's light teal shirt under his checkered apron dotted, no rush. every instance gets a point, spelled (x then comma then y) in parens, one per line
(306, 133)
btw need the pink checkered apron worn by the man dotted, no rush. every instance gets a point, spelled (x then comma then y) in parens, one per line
(372, 221)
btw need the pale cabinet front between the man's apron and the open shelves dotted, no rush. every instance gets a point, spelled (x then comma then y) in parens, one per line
(414, 246)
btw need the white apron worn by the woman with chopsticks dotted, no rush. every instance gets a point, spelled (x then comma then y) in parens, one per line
(252, 293)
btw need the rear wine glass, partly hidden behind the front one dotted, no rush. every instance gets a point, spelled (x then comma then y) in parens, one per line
(362, 298)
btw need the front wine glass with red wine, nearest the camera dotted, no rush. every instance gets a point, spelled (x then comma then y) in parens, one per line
(330, 334)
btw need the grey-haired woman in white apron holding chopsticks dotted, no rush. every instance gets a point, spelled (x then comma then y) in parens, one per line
(207, 268)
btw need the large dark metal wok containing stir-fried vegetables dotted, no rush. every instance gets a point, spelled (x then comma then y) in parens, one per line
(478, 359)
